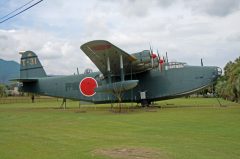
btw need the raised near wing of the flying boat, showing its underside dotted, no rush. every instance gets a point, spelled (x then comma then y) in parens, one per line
(100, 50)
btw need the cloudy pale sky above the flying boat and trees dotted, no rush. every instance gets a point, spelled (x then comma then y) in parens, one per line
(189, 30)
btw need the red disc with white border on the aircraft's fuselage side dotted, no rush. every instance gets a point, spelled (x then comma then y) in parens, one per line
(87, 86)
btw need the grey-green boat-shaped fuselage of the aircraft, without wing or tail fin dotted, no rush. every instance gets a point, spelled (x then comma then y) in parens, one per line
(158, 85)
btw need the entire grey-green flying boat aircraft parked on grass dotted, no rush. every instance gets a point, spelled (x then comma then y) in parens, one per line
(142, 77)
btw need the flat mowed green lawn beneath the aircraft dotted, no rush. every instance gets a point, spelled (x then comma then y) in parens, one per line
(194, 128)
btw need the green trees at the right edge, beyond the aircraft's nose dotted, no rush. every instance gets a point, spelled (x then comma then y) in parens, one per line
(228, 85)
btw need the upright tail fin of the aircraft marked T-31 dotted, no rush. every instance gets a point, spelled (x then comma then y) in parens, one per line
(31, 66)
